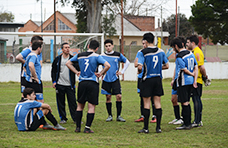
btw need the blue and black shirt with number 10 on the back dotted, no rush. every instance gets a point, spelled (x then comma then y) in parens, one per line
(185, 60)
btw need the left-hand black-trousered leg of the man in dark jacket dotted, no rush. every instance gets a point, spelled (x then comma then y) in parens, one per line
(60, 99)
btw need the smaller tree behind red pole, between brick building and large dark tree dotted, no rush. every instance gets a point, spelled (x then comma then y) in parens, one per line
(185, 26)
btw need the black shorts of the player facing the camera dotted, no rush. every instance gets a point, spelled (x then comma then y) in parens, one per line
(111, 88)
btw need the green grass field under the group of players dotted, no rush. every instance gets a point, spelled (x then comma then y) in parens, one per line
(214, 133)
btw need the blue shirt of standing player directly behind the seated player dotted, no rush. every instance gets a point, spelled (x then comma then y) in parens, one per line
(32, 57)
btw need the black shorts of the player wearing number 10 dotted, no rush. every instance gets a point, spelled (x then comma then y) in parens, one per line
(184, 93)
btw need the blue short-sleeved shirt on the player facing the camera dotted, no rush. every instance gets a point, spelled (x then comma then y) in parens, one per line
(113, 59)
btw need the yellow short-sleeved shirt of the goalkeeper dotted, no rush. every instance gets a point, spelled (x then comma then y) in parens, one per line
(200, 60)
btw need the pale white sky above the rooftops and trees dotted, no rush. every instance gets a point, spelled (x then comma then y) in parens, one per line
(23, 10)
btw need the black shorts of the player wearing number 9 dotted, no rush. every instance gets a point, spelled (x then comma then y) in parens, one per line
(152, 87)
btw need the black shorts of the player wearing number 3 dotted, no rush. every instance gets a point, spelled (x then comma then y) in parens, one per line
(88, 91)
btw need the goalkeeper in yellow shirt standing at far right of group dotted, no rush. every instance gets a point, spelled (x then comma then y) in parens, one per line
(192, 43)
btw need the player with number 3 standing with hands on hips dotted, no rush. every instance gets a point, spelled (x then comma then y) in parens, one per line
(88, 87)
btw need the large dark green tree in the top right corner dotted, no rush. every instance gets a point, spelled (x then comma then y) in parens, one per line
(209, 18)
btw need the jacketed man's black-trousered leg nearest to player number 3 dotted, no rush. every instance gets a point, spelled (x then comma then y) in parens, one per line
(71, 102)
